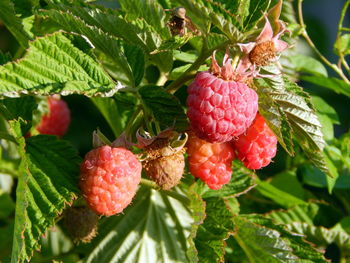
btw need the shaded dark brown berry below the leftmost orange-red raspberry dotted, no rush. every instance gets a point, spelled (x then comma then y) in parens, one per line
(81, 223)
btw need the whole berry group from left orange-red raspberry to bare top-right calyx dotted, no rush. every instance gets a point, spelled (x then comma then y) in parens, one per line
(224, 124)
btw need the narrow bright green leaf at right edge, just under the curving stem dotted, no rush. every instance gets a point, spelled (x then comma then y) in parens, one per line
(337, 85)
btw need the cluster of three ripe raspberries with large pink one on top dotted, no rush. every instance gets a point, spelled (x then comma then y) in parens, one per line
(223, 114)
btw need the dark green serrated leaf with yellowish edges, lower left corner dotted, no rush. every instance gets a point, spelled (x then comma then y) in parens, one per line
(47, 183)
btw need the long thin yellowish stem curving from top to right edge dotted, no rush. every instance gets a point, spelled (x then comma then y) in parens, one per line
(312, 45)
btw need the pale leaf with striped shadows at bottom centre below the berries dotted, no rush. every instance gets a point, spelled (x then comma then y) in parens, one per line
(152, 229)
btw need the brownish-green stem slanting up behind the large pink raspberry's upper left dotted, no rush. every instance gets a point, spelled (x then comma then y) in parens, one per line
(192, 70)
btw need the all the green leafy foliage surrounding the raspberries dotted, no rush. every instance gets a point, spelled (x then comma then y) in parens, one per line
(123, 73)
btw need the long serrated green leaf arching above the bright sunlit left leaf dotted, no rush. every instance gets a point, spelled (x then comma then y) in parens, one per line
(137, 32)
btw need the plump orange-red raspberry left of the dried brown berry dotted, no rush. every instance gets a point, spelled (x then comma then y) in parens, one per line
(109, 178)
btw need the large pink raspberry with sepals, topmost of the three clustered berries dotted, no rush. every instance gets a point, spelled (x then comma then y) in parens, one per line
(220, 108)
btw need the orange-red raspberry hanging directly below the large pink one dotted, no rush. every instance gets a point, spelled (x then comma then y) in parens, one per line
(211, 162)
